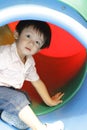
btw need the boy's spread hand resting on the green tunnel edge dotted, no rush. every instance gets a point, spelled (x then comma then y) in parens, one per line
(56, 99)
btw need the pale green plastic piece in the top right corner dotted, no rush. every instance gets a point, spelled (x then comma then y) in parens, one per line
(79, 5)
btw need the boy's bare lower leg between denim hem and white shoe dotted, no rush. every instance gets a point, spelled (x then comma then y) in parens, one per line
(29, 118)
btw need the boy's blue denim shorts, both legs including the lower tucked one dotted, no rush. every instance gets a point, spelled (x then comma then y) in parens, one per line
(11, 102)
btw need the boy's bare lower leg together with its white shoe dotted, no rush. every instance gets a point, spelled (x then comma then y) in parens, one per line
(28, 117)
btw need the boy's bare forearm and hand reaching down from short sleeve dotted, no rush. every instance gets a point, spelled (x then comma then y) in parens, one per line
(43, 92)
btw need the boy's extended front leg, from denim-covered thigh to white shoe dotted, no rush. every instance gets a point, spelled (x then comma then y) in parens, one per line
(16, 102)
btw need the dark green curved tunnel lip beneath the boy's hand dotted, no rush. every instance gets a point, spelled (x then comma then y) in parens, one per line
(70, 89)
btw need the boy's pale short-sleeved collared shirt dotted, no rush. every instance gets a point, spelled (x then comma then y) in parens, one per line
(12, 71)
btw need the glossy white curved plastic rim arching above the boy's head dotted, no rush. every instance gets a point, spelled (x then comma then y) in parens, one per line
(31, 11)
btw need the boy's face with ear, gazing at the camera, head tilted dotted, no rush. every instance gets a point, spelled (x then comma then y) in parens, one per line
(29, 42)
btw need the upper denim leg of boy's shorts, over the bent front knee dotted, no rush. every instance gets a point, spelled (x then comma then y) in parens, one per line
(12, 100)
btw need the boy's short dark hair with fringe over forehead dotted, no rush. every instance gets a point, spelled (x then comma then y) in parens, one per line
(41, 26)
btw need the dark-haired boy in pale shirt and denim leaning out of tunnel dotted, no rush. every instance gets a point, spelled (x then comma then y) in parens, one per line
(17, 65)
